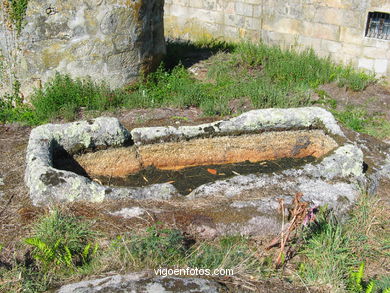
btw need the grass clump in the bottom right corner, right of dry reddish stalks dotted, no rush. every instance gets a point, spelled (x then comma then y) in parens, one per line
(333, 251)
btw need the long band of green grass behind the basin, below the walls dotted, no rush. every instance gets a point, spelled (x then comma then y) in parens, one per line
(265, 76)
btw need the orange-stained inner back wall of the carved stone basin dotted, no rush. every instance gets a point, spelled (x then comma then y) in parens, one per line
(120, 162)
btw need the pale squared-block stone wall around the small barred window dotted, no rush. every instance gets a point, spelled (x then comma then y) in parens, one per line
(330, 27)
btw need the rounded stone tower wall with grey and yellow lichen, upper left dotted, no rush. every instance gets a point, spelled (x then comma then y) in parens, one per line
(110, 40)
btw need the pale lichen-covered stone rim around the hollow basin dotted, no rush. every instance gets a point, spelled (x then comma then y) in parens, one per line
(49, 185)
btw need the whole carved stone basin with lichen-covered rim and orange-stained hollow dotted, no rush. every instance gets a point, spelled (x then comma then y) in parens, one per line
(254, 155)
